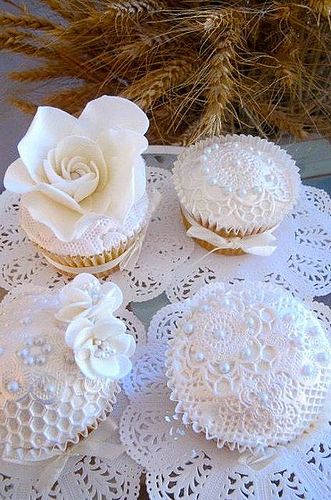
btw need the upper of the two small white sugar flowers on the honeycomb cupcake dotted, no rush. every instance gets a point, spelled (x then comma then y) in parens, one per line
(85, 296)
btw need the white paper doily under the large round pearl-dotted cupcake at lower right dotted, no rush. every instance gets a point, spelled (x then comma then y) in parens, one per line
(182, 464)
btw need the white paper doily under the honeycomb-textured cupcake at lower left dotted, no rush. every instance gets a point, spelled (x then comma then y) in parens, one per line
(83, 476)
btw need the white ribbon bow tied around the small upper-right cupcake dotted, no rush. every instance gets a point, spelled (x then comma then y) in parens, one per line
(262, 244)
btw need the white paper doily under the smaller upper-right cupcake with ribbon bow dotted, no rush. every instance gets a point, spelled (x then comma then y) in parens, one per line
(301, 262)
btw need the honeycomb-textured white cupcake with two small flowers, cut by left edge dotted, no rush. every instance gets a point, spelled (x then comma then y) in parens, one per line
(60, 366)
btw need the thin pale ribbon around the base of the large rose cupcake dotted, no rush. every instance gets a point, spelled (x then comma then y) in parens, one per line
(127, 260)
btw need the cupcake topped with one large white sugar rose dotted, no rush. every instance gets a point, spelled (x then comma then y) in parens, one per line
(83, 184)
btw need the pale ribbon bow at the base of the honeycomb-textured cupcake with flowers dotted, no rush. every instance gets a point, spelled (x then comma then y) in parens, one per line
(100, 444)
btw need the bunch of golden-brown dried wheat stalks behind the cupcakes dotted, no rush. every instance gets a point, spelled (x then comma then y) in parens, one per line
(198, 68)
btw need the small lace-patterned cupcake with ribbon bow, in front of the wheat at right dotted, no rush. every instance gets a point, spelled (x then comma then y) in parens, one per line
(234, 191)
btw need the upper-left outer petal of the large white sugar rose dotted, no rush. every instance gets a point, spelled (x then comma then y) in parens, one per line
(48, 127)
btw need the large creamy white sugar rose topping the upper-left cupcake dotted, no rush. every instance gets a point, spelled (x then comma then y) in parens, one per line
(72, 170)
